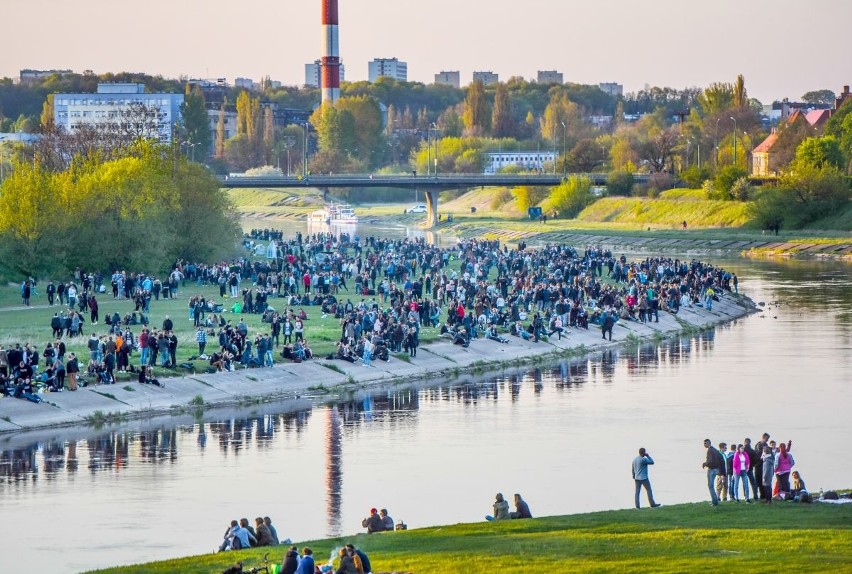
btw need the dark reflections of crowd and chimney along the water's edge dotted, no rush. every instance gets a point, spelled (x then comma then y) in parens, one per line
(117, 450)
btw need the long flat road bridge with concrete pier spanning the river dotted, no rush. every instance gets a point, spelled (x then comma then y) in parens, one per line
(431, 185)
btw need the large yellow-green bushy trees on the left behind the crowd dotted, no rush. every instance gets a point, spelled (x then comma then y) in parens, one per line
(138, 209)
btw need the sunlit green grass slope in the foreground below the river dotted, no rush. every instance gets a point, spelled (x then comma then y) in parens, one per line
(682, 538)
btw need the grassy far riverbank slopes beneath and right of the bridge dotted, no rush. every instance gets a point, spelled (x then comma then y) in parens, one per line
(610, 216)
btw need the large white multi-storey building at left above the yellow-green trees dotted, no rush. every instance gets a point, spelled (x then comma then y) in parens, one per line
(110, 104)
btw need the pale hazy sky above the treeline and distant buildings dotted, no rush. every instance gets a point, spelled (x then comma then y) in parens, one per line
(783, 47)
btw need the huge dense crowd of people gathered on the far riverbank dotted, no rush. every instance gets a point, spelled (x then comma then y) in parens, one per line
(478, 289)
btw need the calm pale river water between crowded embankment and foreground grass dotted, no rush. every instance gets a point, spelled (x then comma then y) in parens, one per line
(562, 436)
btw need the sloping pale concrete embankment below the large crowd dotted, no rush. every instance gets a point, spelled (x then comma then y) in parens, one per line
(321, 380)
